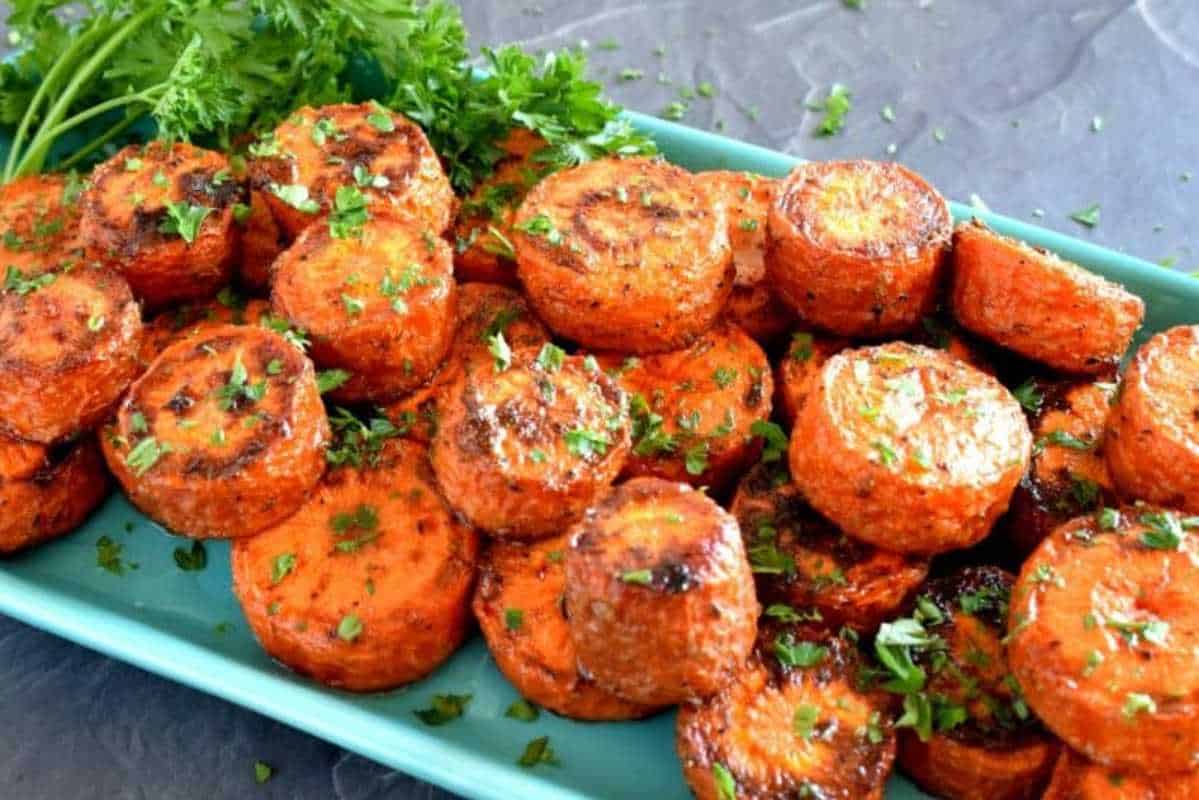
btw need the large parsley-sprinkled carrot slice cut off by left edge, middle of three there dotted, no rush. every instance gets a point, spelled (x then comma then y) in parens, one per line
(69, 346)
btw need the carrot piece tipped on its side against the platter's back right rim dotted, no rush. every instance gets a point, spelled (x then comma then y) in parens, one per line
(1039, 305)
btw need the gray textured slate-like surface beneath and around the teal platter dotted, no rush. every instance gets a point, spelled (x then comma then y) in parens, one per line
(1014, 85)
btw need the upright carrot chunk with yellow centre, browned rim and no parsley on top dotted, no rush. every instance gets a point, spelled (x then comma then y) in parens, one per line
(858, 248)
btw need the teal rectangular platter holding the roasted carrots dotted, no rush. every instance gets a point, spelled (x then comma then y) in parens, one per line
(188, 627)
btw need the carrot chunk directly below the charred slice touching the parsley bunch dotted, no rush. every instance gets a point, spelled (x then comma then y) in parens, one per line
(379, 305)
